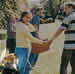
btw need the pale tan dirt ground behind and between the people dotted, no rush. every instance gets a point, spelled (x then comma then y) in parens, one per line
(48, 62)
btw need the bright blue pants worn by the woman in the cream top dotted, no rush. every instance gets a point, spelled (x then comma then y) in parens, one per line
(22, 54)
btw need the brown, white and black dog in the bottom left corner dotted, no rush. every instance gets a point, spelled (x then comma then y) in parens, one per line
(10, 63)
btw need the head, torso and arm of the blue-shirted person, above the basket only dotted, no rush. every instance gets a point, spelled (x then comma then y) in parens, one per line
(36, 21)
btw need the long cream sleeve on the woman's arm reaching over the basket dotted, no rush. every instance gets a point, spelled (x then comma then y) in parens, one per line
(27, 34)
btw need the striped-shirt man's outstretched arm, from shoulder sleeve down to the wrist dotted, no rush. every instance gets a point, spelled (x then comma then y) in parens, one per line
(64, 26)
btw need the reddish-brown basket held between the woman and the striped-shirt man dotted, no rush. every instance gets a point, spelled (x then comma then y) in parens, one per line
(38, 48)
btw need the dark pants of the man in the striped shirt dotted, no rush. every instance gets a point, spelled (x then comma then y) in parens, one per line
(67, 56)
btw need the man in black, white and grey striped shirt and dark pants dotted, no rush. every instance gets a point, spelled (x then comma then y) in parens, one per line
(68, 26)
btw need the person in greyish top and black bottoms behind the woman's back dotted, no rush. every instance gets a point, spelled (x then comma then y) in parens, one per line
(11, 35)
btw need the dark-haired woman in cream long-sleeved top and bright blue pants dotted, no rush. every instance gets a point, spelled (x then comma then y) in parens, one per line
(23, 41)
